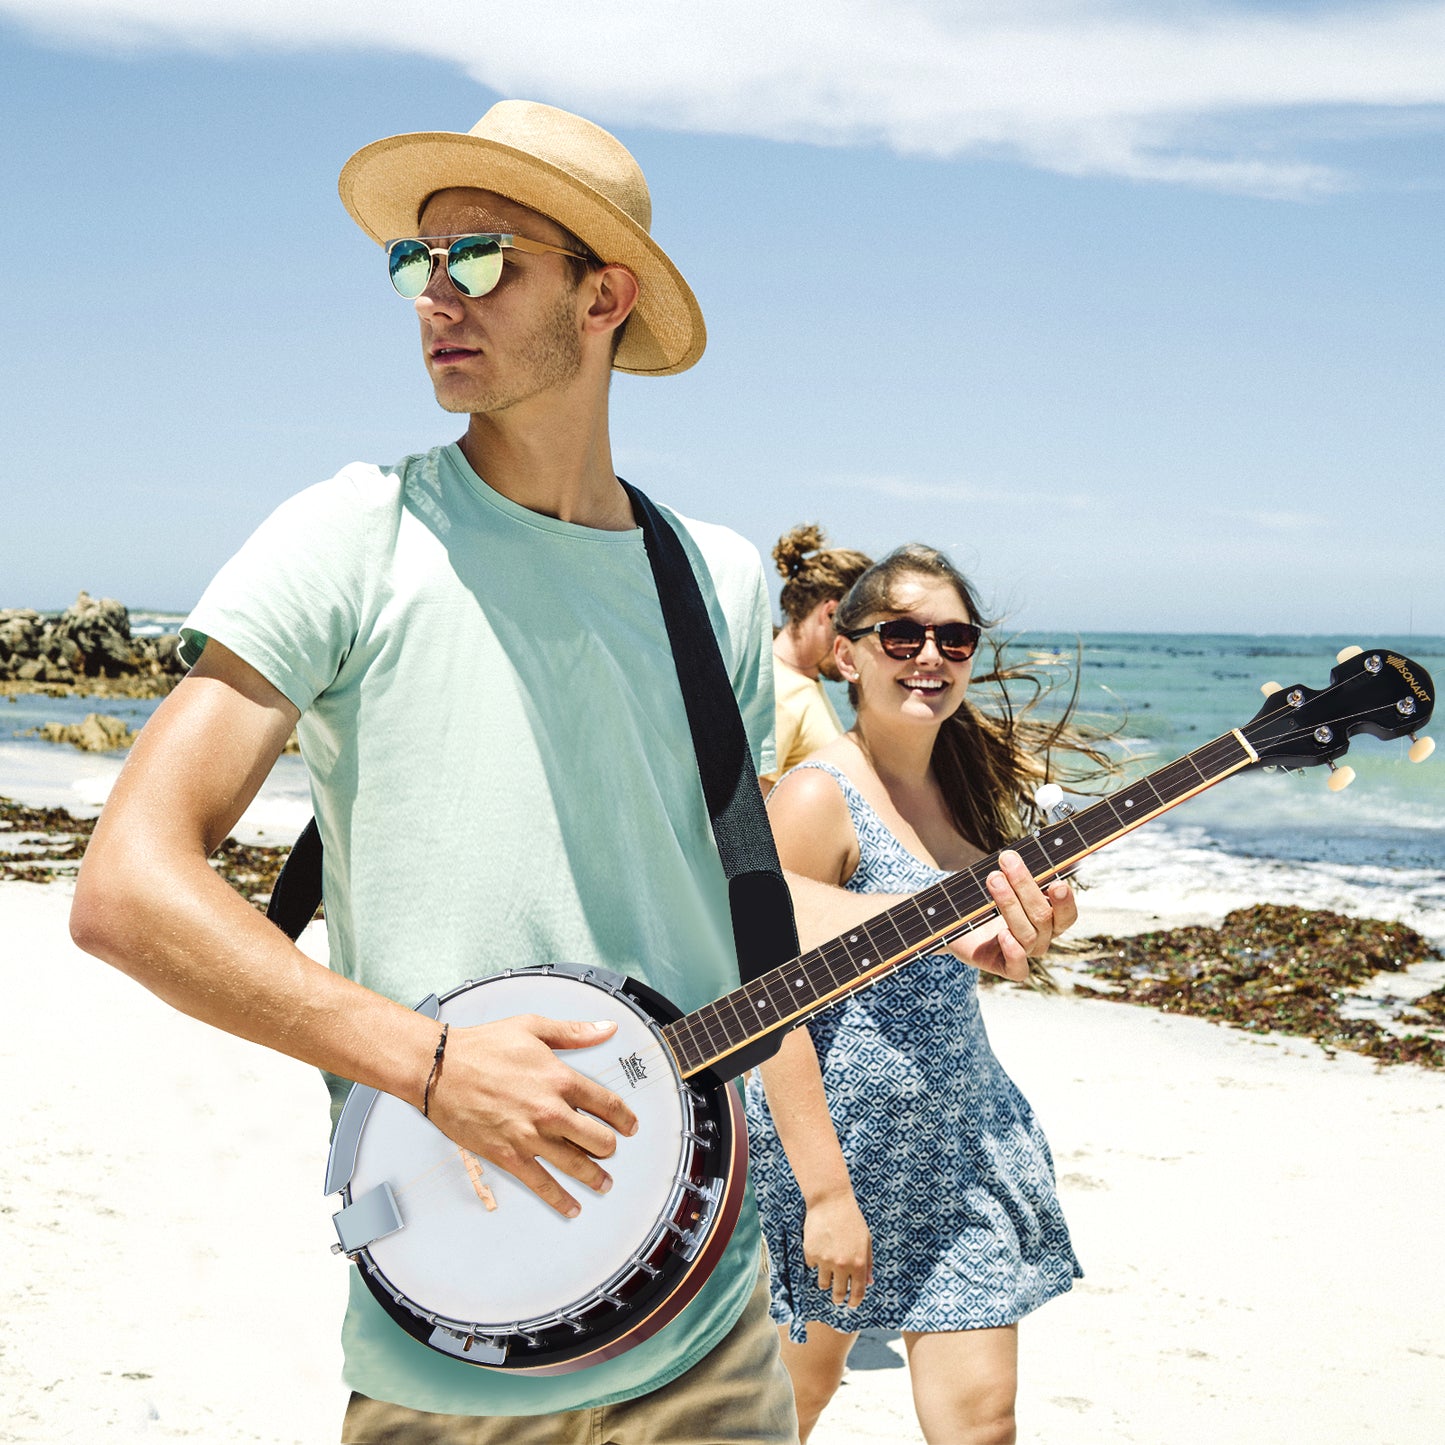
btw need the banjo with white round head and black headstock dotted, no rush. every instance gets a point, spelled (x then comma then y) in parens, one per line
(472, 1264)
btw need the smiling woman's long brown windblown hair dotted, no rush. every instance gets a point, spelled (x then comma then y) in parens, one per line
(989, 759)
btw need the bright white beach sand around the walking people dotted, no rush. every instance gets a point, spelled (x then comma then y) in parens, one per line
(1261, 1229)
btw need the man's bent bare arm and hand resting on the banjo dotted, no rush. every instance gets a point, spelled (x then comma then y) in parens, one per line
(150, 902)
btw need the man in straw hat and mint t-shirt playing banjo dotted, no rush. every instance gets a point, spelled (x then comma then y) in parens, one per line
(472, 644)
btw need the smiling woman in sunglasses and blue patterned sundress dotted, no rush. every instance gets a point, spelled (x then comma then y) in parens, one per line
(902, 1178)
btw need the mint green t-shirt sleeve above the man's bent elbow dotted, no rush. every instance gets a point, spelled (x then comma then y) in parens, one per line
(290, 600)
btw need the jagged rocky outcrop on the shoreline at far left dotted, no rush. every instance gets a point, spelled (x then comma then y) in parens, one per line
(85, 647)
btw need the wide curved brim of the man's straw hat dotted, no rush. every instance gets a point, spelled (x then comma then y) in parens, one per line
(384, 187)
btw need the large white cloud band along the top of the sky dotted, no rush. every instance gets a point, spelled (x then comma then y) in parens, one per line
(1084, 87)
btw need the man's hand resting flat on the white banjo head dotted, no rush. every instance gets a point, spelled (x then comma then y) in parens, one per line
(505, 1095)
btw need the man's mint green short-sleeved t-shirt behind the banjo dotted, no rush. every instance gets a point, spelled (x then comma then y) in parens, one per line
(504, 775)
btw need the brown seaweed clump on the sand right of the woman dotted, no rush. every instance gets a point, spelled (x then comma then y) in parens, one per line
(1272, 969)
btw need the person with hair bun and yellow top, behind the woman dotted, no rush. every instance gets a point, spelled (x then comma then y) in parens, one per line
(814, 580)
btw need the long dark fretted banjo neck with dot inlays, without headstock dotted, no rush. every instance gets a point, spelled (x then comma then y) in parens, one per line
(793, 993)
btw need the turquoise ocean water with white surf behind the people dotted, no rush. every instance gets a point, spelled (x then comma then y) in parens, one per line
(1378, 847)
